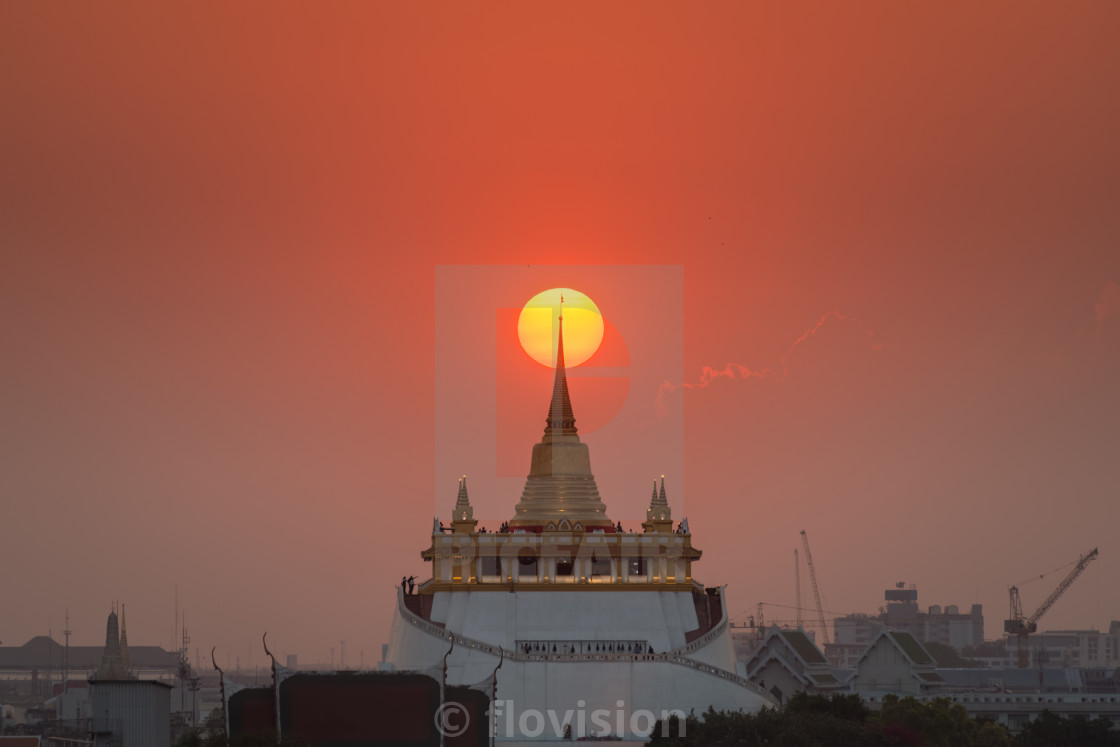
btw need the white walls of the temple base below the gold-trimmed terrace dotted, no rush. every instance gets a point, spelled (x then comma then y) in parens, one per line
(537, 694)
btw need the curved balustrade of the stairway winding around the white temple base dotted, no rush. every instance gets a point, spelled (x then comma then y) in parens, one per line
(675, 657)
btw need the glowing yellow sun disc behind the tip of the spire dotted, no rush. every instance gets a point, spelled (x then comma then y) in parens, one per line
(538, 326)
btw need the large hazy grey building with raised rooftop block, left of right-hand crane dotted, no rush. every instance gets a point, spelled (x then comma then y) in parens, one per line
(853, 634)
